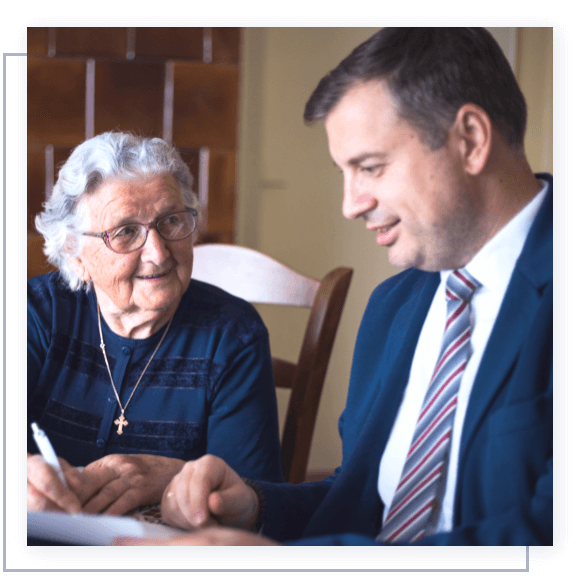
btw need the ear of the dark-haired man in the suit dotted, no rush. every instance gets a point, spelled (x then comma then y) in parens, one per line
(473, 131)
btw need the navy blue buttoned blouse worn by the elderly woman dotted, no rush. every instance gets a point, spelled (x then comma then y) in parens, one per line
(209, 389)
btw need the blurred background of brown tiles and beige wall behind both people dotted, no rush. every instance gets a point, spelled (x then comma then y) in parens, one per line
(232, 100)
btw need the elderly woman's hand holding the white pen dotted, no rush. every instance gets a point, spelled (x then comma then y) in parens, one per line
(44, 489)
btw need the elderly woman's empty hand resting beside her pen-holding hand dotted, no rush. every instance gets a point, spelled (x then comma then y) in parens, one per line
(118, 483)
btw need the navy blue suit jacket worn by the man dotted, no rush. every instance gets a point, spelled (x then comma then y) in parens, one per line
(504, 492)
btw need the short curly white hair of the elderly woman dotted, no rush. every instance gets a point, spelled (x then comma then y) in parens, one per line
(106, 157)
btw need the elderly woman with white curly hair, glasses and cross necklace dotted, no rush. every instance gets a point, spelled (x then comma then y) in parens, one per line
(133, 367)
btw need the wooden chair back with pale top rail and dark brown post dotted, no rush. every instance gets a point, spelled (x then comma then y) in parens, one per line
(258, 278)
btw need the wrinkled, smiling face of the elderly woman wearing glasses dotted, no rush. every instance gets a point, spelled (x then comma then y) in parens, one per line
(151, 280)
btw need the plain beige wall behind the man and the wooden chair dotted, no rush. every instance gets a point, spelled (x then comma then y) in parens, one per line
(289, 193)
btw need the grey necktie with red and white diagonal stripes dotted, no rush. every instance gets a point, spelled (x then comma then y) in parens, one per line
(415, 497)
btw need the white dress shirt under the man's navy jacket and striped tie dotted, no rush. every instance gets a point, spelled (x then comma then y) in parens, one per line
(492, 266)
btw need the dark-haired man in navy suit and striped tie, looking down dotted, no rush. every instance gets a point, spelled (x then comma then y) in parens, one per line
(427, 127)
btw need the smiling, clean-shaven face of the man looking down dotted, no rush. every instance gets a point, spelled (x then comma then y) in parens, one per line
(419, 202)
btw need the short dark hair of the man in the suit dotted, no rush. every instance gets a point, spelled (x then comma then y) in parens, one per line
(431, 73)
